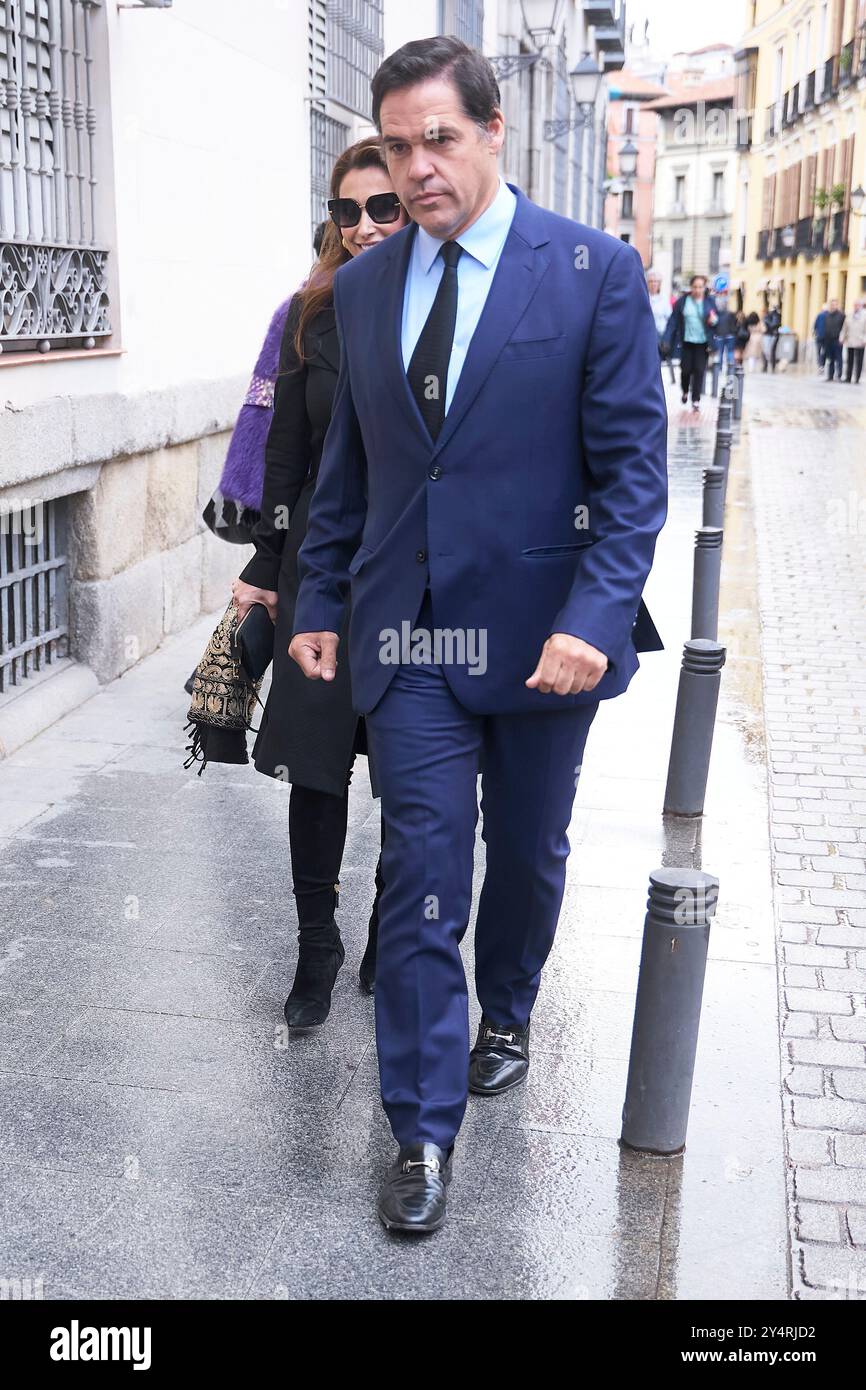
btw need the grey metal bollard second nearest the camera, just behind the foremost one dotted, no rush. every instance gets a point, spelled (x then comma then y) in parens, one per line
(693, 733)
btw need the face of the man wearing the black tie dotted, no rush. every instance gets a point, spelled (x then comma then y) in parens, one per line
(443, 165)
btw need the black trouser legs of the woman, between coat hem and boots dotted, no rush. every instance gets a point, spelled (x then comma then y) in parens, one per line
(318, 839)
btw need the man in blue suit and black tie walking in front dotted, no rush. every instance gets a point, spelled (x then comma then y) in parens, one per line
(493, 486)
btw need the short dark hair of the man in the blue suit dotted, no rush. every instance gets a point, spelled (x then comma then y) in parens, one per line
(440, 58)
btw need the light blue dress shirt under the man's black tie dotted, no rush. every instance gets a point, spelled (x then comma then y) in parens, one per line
(483, 244)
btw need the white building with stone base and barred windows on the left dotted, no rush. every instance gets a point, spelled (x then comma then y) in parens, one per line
(162, 170)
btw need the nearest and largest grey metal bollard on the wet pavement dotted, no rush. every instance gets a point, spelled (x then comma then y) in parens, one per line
(668, 1010)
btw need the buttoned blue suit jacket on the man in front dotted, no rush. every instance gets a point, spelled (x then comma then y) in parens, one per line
(559, 407)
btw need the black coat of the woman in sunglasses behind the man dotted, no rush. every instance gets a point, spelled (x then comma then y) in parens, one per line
(309, 732)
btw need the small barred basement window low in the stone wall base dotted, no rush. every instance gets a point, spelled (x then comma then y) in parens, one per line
(34, 619)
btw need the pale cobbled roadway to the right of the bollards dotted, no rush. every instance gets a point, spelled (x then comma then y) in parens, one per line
(806, 439)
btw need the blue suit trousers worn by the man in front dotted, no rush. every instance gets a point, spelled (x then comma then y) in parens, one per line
(429, 750)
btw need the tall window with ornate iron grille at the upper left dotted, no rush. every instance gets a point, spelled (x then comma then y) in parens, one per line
(54, 269)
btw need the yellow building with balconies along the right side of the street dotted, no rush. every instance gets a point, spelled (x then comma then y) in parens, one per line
(801, 134)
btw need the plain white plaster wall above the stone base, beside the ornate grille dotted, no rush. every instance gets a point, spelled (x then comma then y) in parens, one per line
(212, 194)
